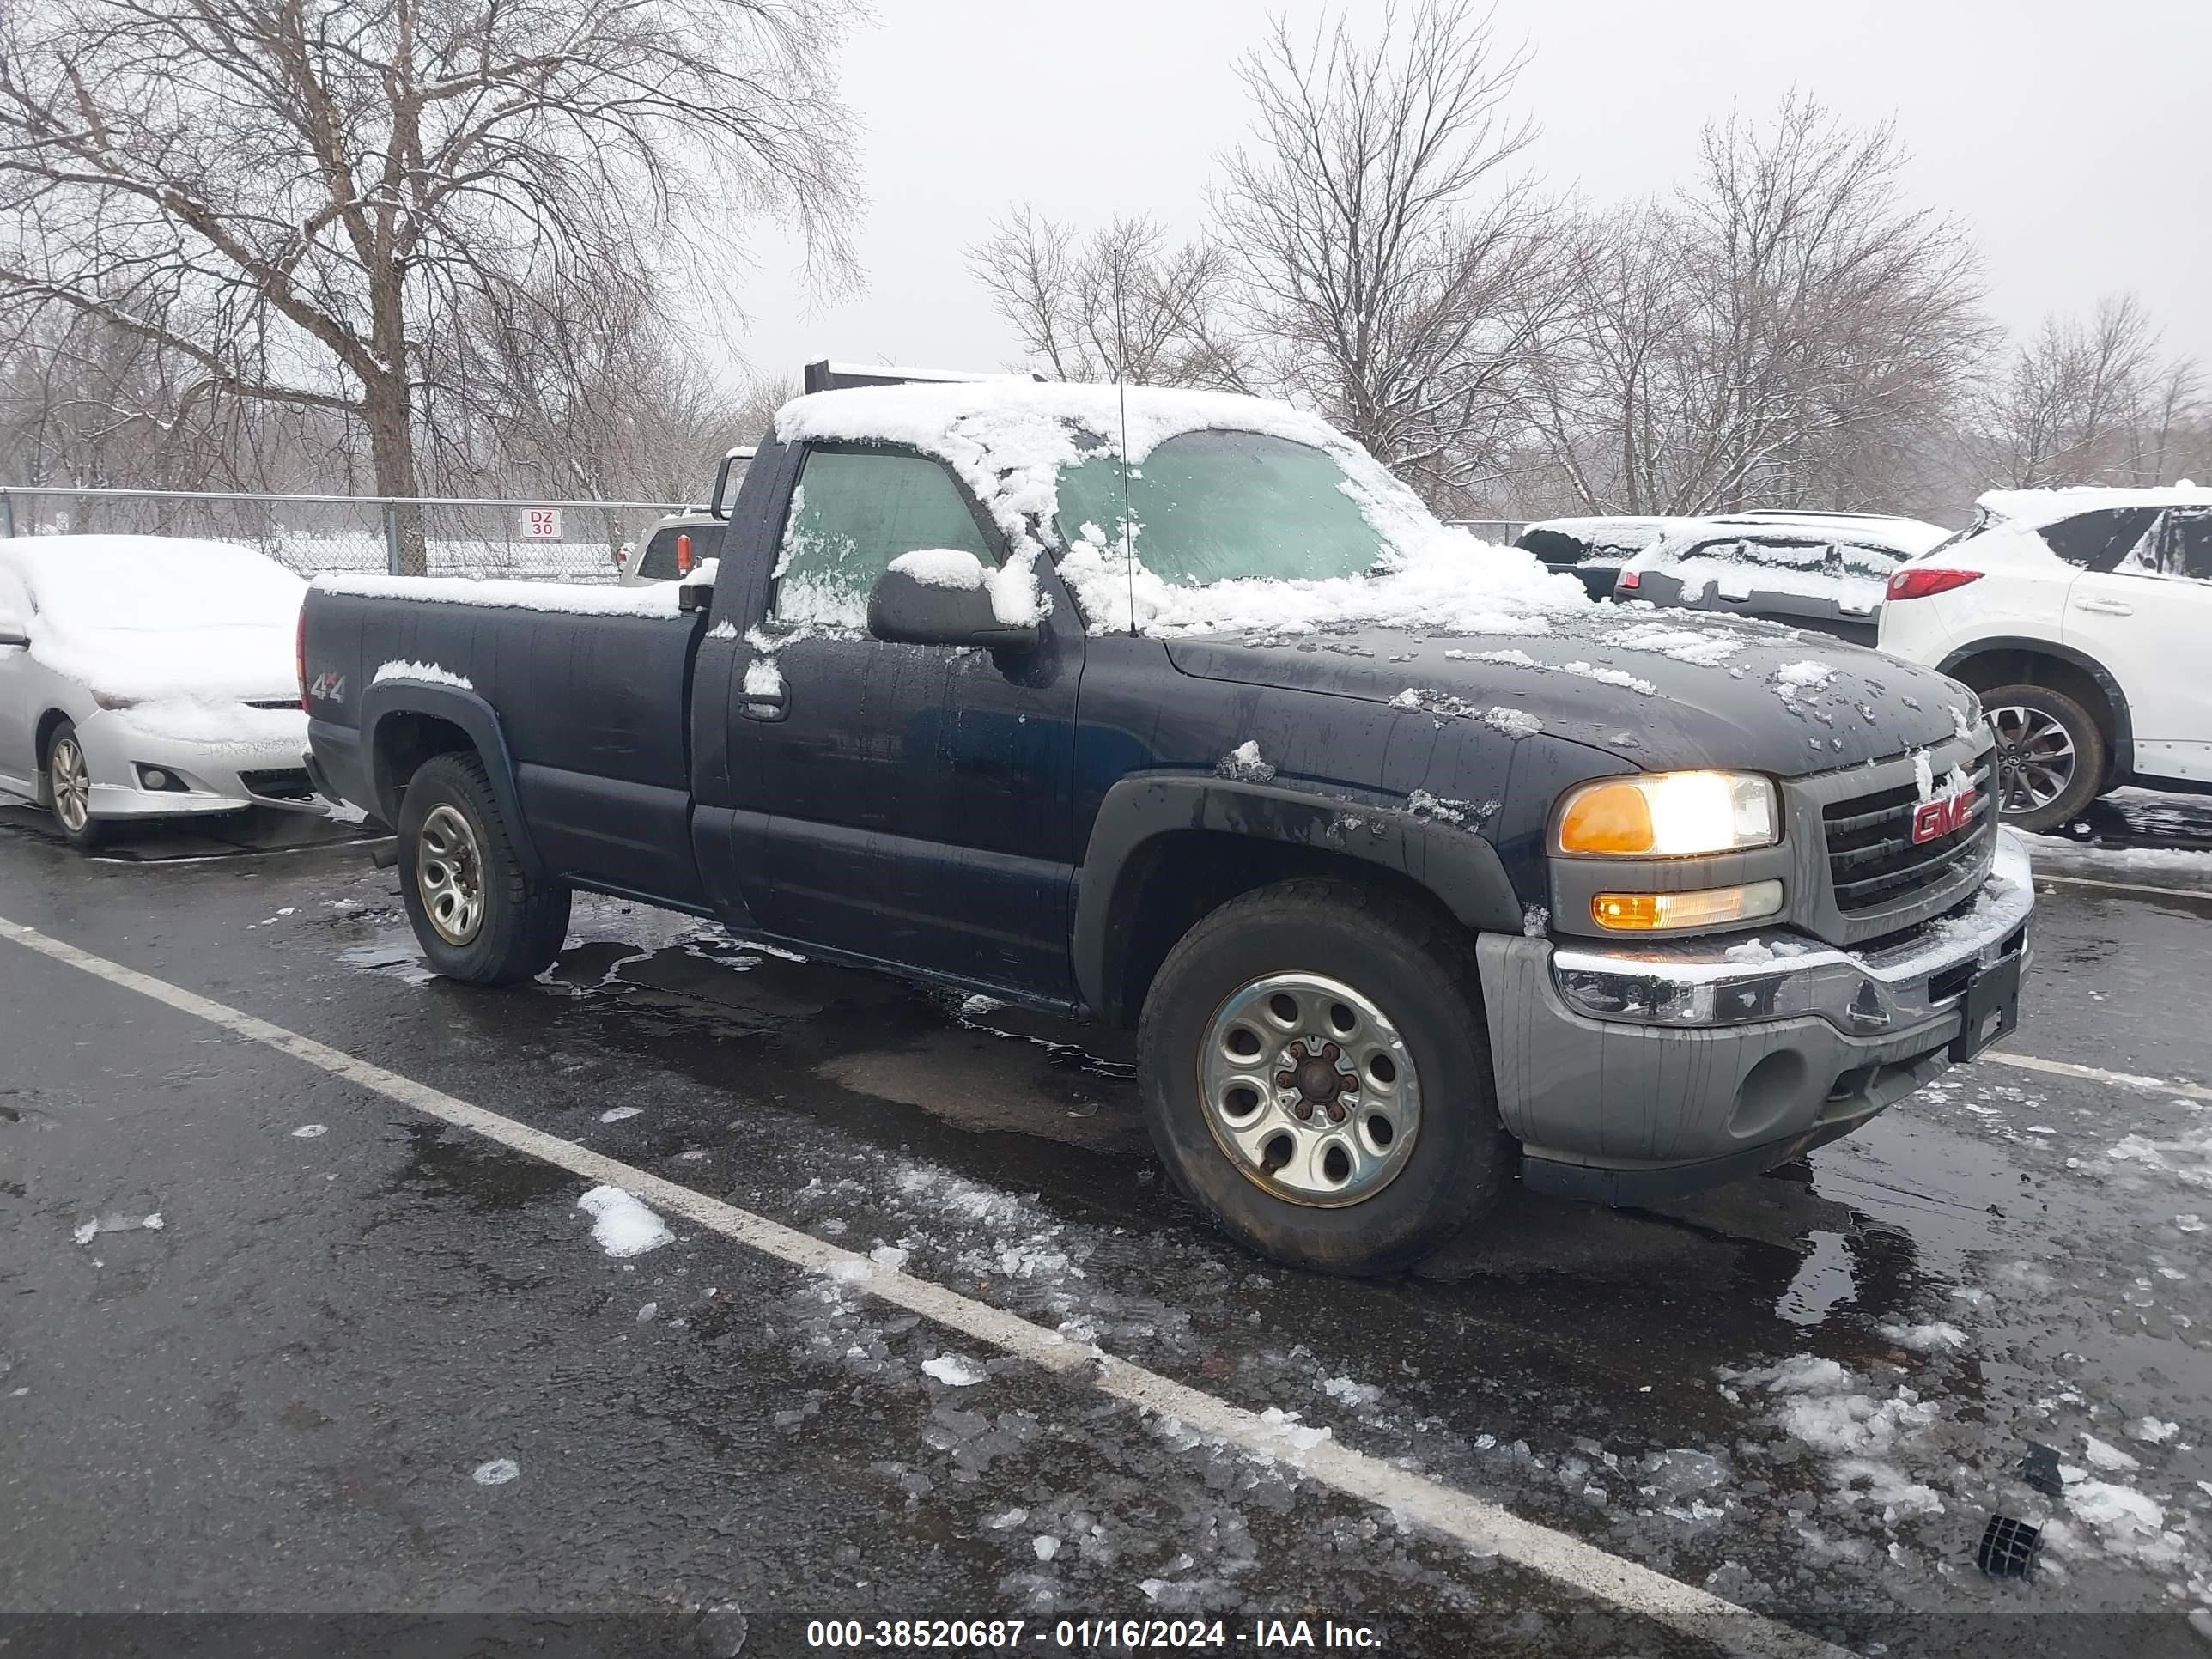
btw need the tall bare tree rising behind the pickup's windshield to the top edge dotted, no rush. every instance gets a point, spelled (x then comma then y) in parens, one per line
(1388, 269)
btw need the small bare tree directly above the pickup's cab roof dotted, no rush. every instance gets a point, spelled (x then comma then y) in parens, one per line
(1114, 306)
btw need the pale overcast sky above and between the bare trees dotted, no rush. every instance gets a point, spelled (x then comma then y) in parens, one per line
(2074, 140)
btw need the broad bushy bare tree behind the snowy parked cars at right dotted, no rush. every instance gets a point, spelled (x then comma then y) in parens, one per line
(1791, 328)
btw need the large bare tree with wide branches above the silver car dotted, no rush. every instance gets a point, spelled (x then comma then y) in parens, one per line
(304, 202)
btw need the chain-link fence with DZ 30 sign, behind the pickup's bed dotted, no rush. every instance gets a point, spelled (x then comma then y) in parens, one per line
(315, 534)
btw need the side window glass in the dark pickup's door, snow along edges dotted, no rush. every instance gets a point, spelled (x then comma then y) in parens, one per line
(857, 510)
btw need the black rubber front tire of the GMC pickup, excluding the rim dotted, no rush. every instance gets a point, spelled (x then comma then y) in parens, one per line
(1410, 963)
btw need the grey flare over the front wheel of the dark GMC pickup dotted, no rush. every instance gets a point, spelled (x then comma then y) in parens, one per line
(1457, 866)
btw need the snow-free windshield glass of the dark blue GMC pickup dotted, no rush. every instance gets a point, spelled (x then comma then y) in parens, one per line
(1224, 508)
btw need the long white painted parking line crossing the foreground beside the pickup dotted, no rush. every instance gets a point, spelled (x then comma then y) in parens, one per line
(1470, 1521)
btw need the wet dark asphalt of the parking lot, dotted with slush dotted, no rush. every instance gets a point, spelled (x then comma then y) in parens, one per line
(293, 1392)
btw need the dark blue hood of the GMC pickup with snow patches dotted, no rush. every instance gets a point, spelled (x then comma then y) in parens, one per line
(1660, 691)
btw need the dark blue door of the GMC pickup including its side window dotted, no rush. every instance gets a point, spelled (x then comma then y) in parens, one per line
(901, 804)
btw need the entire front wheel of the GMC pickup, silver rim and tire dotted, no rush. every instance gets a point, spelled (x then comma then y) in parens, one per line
(1317, 1076)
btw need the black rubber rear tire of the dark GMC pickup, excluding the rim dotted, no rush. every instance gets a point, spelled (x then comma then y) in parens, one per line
(521, 924)
